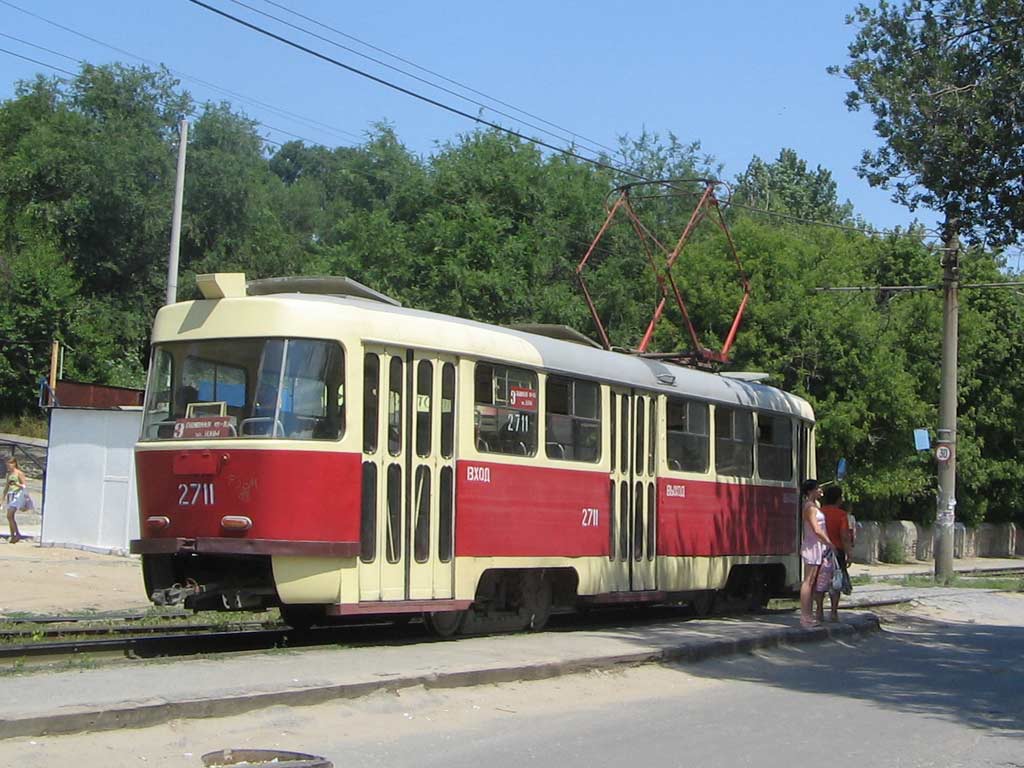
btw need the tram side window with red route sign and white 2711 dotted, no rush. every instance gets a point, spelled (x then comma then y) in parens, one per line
(505, 410)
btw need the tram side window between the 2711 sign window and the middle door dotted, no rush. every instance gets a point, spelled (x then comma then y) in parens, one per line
(573, 420)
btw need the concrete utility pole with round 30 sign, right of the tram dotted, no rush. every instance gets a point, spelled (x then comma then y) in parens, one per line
(946, 452)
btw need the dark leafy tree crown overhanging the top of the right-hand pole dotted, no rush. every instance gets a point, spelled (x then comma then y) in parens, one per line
(943, 78)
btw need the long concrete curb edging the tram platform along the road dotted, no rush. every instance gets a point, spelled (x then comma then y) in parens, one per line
(144, 715)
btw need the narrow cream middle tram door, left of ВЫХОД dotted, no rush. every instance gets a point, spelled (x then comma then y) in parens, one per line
(632, 535)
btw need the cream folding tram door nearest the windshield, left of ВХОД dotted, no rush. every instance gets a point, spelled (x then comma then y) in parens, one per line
(408, 476)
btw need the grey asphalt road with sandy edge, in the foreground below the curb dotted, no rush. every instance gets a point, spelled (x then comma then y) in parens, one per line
(927, 692)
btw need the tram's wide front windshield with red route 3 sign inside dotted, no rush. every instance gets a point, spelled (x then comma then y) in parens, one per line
(246, 389)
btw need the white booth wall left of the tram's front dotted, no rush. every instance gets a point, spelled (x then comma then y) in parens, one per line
(91, 499)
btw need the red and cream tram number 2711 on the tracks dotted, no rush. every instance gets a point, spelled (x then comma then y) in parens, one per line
(312, 445)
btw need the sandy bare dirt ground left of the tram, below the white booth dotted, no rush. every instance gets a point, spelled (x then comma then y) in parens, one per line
(52, 580)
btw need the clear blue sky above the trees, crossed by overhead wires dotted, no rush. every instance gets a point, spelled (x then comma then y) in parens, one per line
(743, 78)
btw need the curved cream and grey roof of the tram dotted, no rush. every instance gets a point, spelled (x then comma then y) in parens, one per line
(376, 323)
